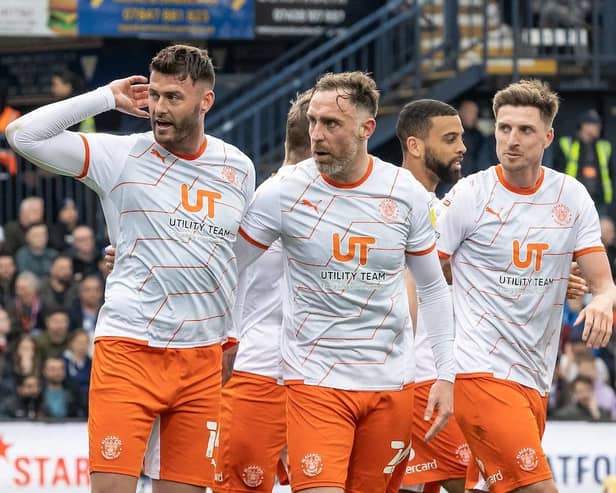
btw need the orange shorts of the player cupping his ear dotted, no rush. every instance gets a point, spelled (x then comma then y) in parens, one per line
(164, 399)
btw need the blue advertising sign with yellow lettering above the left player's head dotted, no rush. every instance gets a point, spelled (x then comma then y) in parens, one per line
(220, 19)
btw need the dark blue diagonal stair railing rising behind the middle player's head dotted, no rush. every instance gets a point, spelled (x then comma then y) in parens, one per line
(386, 43)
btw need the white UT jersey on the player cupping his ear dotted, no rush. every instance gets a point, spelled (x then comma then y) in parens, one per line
(173, 220)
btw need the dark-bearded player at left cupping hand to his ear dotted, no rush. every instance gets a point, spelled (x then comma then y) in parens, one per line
(173, 200)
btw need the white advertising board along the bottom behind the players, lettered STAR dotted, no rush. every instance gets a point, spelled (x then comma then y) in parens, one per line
(53, 457)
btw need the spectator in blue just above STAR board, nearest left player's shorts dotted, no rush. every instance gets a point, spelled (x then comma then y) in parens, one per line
(61, 399)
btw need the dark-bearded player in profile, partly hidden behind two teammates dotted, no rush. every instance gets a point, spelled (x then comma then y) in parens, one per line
(430, 133)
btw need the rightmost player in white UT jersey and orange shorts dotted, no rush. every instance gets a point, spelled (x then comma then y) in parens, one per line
(510, 233)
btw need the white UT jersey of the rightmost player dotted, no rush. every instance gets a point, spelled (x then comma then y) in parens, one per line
(511, 252)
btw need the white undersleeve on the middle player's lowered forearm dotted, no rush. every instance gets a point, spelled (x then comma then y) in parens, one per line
(437, 310)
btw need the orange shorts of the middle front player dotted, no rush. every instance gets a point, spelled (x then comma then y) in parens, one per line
(346, 439)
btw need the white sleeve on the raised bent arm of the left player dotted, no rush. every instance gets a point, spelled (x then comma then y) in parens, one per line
(41, 136)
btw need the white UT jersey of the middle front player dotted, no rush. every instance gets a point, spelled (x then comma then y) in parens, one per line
(347, 325)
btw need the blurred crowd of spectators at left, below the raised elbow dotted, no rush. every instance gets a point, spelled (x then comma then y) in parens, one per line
(51, 289)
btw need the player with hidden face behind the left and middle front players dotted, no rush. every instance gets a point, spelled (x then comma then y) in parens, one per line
(253, 426)
